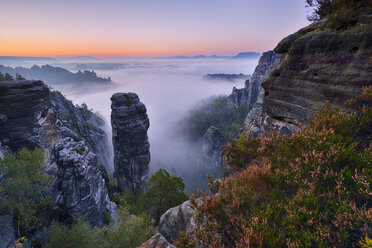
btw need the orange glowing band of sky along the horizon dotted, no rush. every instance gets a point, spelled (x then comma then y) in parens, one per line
(64, 48)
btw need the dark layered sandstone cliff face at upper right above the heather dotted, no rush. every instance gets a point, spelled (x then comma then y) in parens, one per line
(319, 65)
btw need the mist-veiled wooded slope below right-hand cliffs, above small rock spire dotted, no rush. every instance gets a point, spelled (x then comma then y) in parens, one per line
(214, 112)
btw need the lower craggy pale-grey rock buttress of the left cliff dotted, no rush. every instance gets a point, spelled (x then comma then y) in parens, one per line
(80, 187)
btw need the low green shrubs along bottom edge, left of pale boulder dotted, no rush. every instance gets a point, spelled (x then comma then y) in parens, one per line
(130, 231)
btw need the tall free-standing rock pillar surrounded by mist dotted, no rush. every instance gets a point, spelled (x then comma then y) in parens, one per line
(131, 146)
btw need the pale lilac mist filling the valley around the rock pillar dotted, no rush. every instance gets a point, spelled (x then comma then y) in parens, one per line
(169, 88)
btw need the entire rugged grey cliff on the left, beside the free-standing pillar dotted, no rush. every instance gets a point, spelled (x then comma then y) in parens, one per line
(36, 117)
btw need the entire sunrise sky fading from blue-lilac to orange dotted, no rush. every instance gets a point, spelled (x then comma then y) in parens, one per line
(106, 28)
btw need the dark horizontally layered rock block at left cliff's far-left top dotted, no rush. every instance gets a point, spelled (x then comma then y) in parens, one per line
(21, 105)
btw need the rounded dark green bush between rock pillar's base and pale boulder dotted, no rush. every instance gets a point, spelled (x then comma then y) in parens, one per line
(165, 191)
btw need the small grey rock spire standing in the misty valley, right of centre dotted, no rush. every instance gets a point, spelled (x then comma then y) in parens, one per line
(212, 141)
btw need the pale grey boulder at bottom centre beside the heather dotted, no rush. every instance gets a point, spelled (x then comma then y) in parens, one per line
(176, 220)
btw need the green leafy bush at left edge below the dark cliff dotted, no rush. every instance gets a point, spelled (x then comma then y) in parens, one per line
(24, 186)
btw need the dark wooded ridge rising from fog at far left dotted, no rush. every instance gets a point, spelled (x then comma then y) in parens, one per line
(54, 75)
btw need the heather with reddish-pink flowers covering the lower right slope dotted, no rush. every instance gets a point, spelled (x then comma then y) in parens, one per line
(313, 189)
